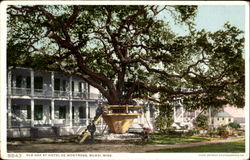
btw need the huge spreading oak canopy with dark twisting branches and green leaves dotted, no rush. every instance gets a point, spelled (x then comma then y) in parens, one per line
(130, 52)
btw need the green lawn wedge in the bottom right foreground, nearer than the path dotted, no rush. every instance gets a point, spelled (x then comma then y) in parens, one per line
(230, 147)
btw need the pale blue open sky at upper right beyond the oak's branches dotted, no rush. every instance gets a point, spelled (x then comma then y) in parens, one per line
(213, 17)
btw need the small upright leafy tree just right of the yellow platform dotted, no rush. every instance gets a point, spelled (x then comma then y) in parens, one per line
(165, 119)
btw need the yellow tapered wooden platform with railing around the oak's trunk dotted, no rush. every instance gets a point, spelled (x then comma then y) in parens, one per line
(120, 117)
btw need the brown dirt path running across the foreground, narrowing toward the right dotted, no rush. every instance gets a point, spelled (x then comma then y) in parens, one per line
(99, 147)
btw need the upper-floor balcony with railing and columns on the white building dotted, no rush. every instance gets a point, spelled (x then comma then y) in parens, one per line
(27, 82)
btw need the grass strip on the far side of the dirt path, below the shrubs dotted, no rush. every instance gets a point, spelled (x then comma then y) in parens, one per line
(167, 139)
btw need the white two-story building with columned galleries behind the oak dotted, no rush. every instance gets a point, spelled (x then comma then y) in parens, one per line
(45, 103)
